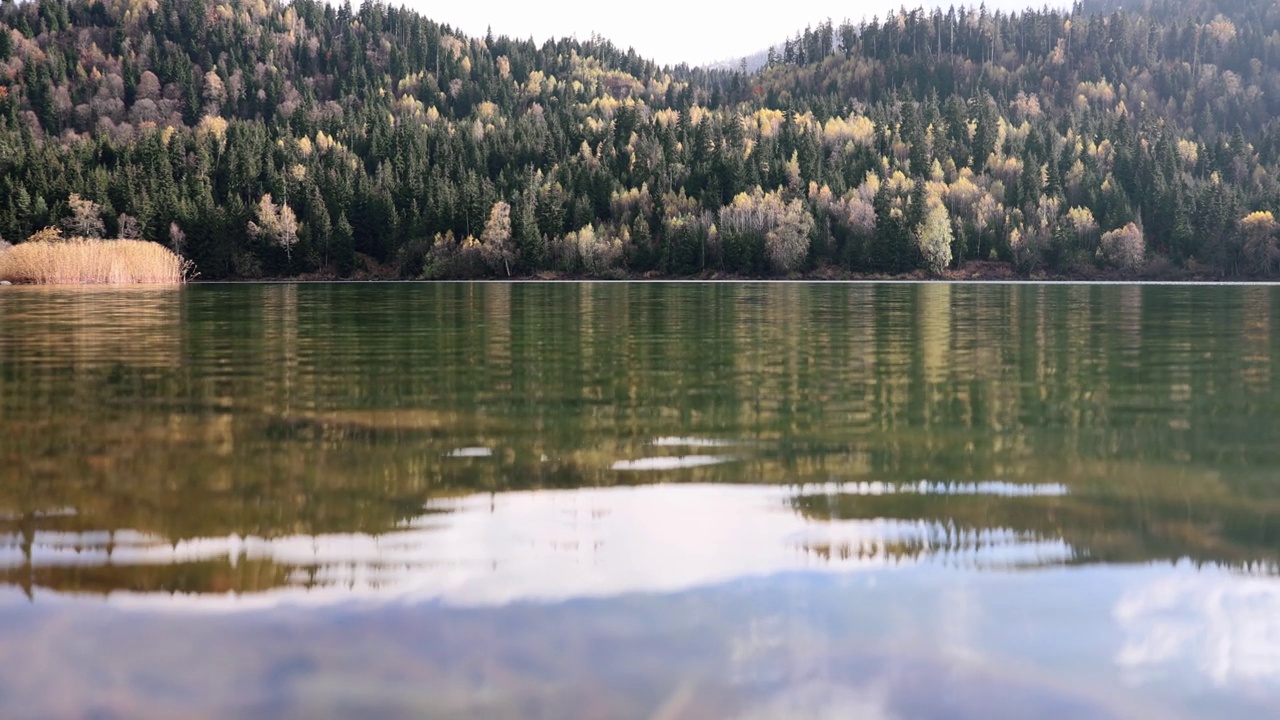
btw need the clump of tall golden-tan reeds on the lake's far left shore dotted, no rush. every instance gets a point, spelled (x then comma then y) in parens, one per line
(92, 262)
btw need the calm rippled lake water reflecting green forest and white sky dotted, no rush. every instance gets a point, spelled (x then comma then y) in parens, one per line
(641, 502)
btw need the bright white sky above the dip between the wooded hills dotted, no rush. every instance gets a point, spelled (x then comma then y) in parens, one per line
(669, 31)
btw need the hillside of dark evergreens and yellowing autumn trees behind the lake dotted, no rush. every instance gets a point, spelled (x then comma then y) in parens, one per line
(263, 139)
